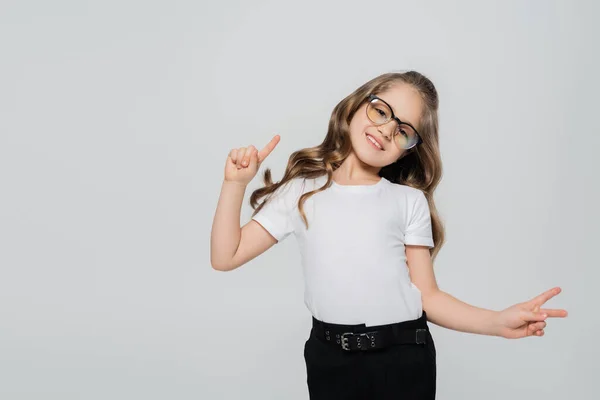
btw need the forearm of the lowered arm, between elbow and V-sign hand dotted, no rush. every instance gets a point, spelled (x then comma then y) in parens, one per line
(449, 312)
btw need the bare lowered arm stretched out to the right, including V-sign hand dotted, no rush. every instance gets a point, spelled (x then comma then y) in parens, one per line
(520, 320)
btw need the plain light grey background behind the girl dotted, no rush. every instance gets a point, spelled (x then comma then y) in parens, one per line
(116, 119)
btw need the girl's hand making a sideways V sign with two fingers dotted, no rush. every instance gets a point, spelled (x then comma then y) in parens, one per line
(527, 318)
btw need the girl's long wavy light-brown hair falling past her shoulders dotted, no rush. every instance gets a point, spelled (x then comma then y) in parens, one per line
(419, 167)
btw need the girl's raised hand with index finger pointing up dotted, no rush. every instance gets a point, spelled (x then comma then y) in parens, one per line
(243, 163)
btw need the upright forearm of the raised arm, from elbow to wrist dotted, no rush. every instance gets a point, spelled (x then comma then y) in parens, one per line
(226, 230)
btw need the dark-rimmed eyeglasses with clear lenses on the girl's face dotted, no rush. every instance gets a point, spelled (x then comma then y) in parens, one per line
(380, 113)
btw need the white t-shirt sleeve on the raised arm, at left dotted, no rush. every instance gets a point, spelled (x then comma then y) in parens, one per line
(276, 216)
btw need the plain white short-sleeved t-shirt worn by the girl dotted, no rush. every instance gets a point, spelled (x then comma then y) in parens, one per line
(353, 255)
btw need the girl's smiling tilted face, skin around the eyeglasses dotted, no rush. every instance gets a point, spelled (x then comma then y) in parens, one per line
(406, 104)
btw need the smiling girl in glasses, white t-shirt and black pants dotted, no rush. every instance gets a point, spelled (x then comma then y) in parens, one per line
(362, 209)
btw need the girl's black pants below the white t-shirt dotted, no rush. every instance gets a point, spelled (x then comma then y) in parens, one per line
(402, 371)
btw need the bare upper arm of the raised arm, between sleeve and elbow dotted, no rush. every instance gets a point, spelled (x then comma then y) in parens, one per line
(254, 241)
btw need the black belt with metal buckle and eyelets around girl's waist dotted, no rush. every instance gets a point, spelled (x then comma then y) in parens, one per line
(363, 338)
